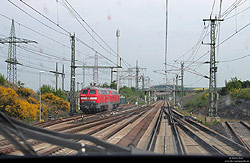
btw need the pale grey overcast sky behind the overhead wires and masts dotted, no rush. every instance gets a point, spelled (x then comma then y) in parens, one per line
(142, 26)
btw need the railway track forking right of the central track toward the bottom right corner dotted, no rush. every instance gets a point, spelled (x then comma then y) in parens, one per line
(210, 141)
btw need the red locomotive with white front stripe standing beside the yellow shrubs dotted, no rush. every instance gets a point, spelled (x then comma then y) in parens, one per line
(94, 99)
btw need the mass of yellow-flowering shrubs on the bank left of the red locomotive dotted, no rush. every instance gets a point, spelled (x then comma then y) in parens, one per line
(22, 104)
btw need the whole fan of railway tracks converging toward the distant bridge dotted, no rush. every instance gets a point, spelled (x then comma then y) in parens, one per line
(156, 128)
